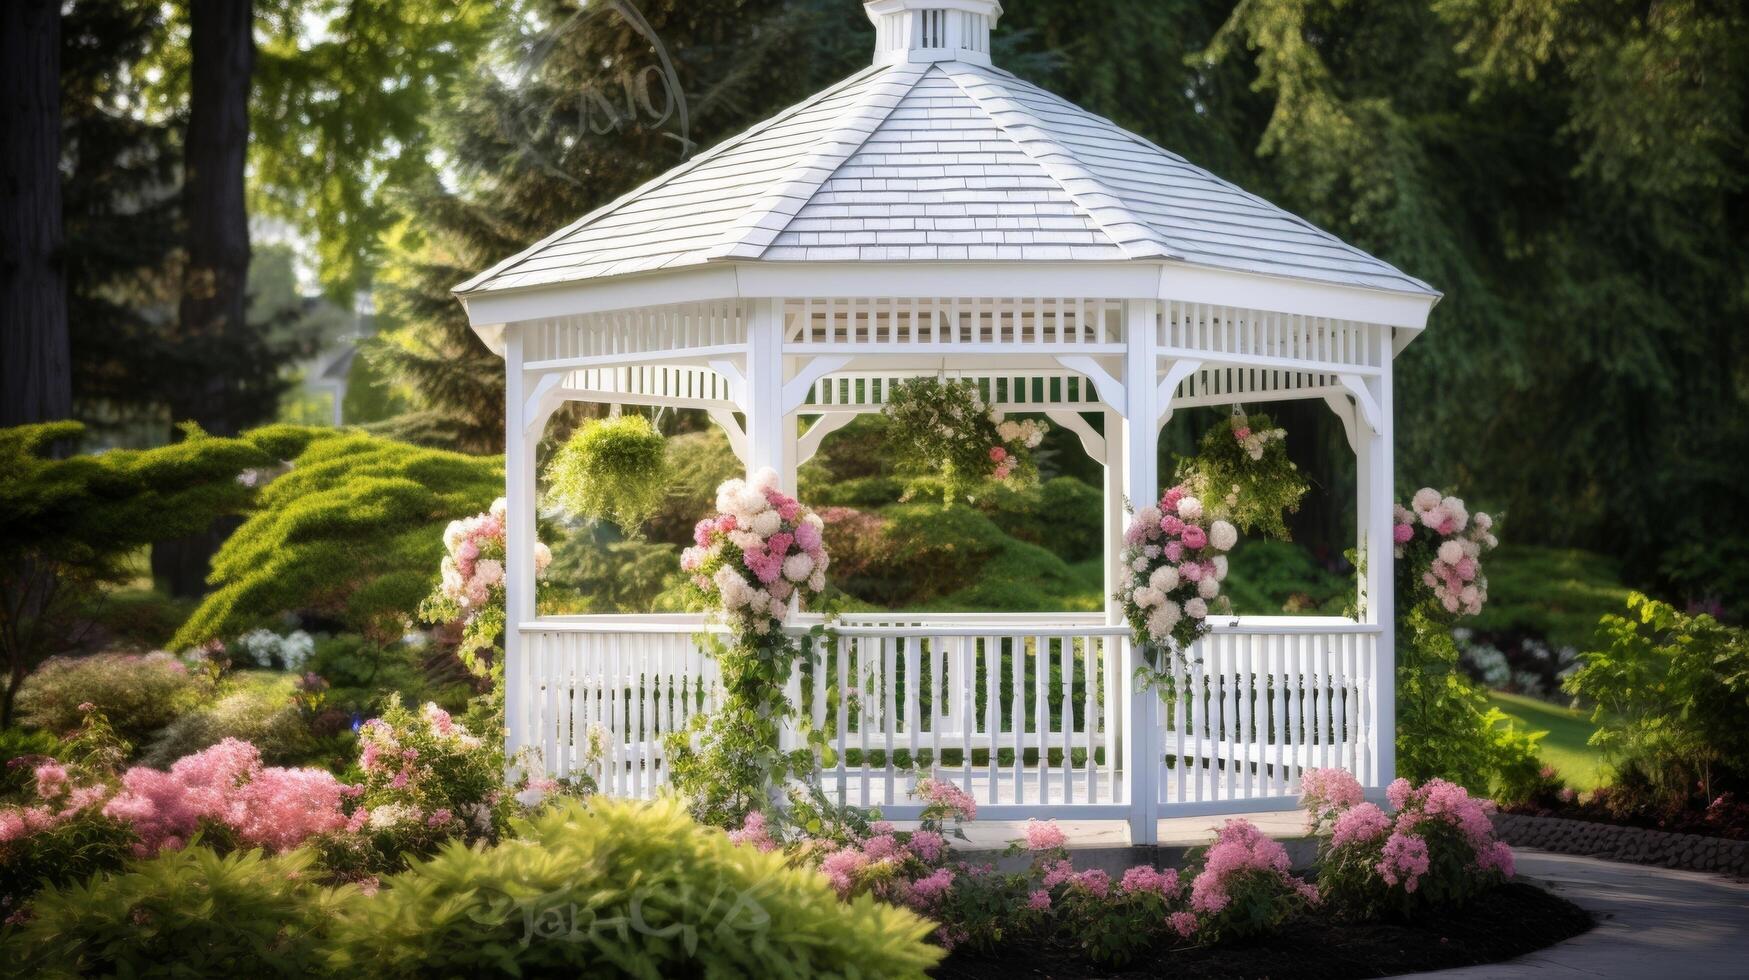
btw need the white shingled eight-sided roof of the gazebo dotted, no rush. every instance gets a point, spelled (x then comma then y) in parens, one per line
(944, 158)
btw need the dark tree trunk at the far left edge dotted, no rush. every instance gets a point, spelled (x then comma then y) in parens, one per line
(36, 368)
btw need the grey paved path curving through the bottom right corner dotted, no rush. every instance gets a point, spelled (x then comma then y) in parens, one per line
(1654, 923)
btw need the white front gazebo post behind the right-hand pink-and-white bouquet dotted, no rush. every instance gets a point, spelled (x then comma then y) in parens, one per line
(1141, 452)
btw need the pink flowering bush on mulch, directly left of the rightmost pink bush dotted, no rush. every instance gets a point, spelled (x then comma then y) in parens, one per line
(1243, 885)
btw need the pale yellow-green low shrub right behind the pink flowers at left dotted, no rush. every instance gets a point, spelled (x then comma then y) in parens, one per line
(253, 706)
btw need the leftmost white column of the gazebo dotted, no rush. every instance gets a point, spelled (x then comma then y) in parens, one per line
(519, 538)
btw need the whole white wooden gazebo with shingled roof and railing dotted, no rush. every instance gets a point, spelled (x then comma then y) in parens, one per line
(935, 214)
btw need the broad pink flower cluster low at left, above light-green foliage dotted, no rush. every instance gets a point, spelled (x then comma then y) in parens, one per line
(265, 806)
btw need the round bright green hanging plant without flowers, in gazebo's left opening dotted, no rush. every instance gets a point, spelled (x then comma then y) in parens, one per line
(613, 470)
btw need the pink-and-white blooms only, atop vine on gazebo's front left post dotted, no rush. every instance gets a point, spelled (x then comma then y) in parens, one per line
(756, 554)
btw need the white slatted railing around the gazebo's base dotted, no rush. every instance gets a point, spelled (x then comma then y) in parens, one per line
(1022, 711)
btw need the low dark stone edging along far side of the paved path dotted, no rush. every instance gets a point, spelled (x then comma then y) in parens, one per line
(1636, 846)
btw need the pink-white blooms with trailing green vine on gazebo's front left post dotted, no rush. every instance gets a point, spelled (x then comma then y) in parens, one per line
(755, 561)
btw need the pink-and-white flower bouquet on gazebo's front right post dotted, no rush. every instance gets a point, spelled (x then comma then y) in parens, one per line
(1174, 559)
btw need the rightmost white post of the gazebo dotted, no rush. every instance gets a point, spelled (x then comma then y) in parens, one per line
(1376, 473)
